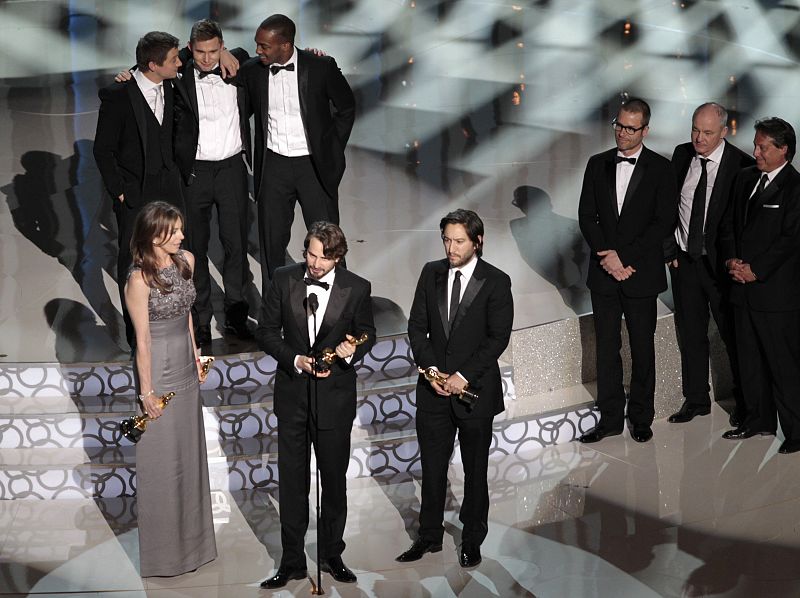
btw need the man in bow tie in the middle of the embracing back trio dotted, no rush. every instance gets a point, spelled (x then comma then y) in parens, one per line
(212, 136)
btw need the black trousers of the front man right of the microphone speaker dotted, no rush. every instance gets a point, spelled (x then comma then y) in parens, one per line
(436, 432)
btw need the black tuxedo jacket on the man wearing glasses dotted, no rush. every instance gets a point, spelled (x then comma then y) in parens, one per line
(637, 233)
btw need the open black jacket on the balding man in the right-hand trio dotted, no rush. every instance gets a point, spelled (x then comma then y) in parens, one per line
(733, 160)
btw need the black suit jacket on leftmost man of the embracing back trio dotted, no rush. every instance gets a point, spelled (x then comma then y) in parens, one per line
(121, 137)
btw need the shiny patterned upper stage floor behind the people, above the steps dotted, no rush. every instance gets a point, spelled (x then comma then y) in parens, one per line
(486, 104)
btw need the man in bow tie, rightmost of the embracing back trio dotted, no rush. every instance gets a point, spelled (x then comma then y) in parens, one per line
(304, 111)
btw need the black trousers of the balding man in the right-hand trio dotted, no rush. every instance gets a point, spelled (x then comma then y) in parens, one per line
(697, 291)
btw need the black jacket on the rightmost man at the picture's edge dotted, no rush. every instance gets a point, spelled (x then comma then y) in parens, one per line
(766, 236)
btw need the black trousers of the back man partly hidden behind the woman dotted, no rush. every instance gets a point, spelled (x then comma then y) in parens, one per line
(165, 186)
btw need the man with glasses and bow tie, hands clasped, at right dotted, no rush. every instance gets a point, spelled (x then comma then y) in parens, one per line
(626, 210)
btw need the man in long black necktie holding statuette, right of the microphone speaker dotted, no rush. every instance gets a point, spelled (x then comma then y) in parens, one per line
(460, 323)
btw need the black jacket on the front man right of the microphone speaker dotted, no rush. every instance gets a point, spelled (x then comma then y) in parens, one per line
(480, 334)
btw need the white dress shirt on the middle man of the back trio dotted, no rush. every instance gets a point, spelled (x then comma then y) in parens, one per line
(218, 111)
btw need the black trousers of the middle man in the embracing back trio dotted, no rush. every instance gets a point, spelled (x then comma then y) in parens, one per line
(222, 185)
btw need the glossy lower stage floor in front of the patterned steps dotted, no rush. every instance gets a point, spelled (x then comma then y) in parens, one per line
(689, 514)
